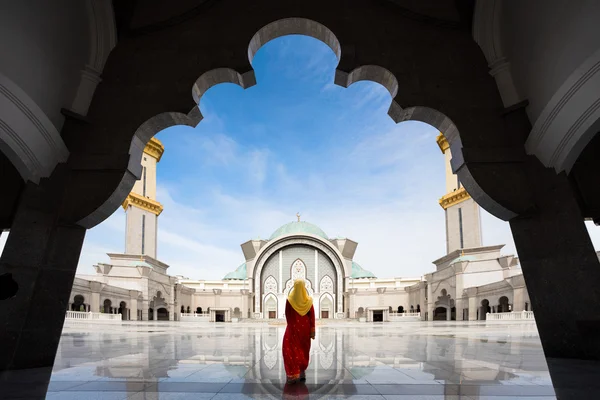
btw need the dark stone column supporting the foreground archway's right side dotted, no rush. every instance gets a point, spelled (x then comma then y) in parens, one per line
(561, 269)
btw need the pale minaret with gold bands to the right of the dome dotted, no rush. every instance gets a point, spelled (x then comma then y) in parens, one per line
(463, 223)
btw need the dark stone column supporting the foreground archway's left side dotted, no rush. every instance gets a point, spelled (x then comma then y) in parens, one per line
(38, 262)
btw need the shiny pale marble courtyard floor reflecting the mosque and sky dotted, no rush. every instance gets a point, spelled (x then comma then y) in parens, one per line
(412, 360)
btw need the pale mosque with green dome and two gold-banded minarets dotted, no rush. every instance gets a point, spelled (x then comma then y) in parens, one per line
(470, 281)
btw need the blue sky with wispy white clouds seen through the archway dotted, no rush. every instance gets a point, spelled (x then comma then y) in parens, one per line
(296, 143)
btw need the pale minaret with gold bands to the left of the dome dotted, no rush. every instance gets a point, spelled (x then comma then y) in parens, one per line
(141, 206)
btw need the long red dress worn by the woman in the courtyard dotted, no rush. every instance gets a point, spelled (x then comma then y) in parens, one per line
(296, 341)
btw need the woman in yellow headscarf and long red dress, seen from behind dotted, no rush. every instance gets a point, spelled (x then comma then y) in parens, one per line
(300, 316)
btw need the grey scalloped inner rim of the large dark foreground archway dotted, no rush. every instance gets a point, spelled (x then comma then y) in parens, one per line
(273, 30)
